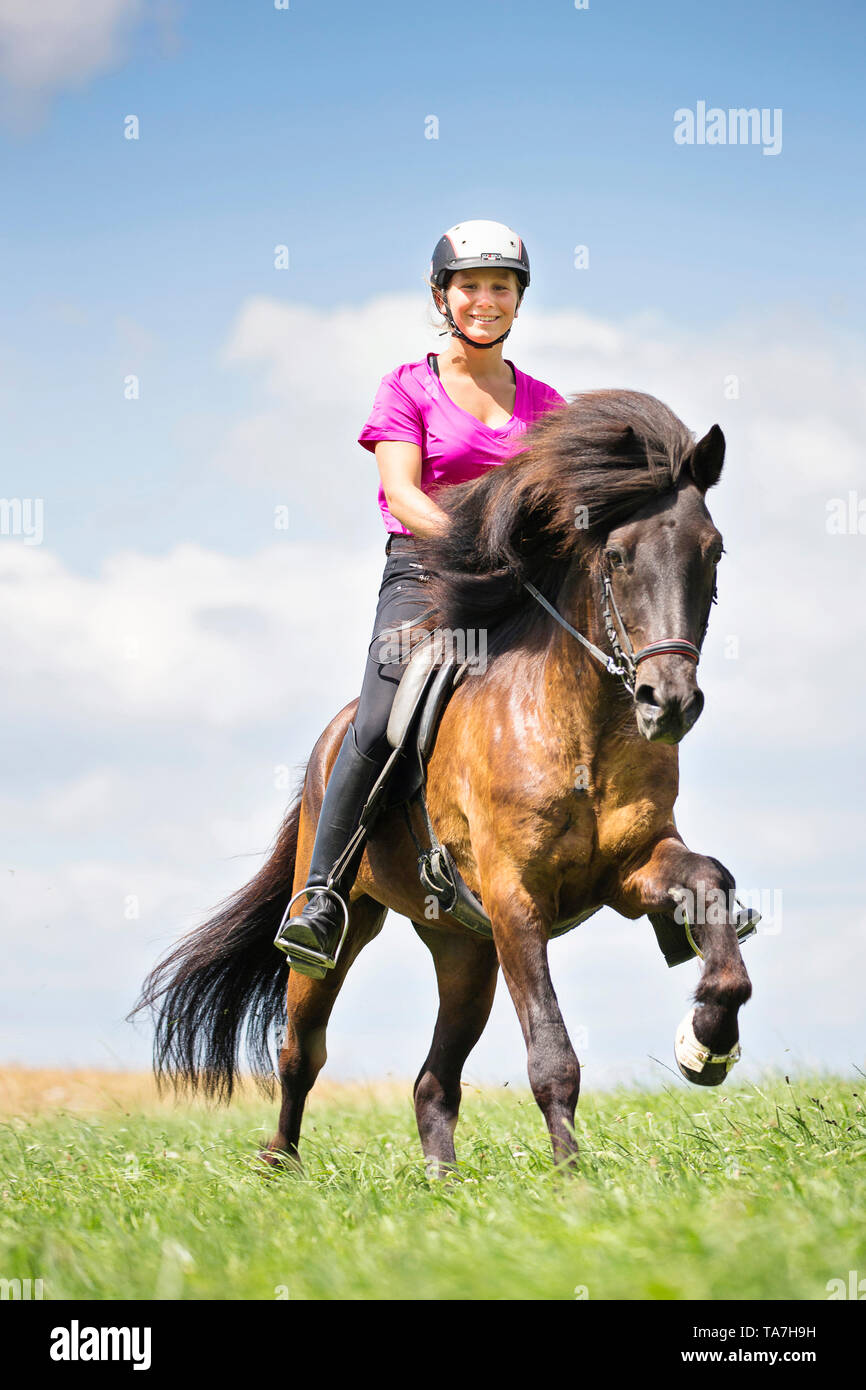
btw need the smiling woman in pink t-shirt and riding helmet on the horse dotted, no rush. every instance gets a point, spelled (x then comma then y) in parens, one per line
(434, 423)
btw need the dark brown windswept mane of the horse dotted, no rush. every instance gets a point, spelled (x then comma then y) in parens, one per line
(585, 469)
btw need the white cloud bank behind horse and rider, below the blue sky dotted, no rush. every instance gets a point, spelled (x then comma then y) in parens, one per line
(195, 657)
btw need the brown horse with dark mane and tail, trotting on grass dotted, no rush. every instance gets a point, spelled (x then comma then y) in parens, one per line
(589, 561)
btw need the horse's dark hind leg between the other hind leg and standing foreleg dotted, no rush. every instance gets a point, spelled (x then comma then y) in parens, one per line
(466, 974)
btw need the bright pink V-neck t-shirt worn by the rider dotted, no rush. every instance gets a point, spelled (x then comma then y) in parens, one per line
(412, 405)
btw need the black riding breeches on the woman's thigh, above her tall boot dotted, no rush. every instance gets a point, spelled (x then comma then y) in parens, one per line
(402, 604)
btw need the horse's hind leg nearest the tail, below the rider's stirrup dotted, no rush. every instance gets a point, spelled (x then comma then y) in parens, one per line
(309, 1006)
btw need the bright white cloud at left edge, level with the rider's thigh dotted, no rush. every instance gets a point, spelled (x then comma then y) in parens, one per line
(188, 636)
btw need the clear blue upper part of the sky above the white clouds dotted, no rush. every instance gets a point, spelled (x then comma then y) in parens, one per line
(307, 127)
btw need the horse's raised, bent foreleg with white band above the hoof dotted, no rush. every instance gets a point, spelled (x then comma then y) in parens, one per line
(704, 890)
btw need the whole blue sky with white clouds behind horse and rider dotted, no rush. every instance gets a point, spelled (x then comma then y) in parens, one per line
(151, 686)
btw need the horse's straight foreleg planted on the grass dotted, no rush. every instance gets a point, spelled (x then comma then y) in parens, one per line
(522, 945)
